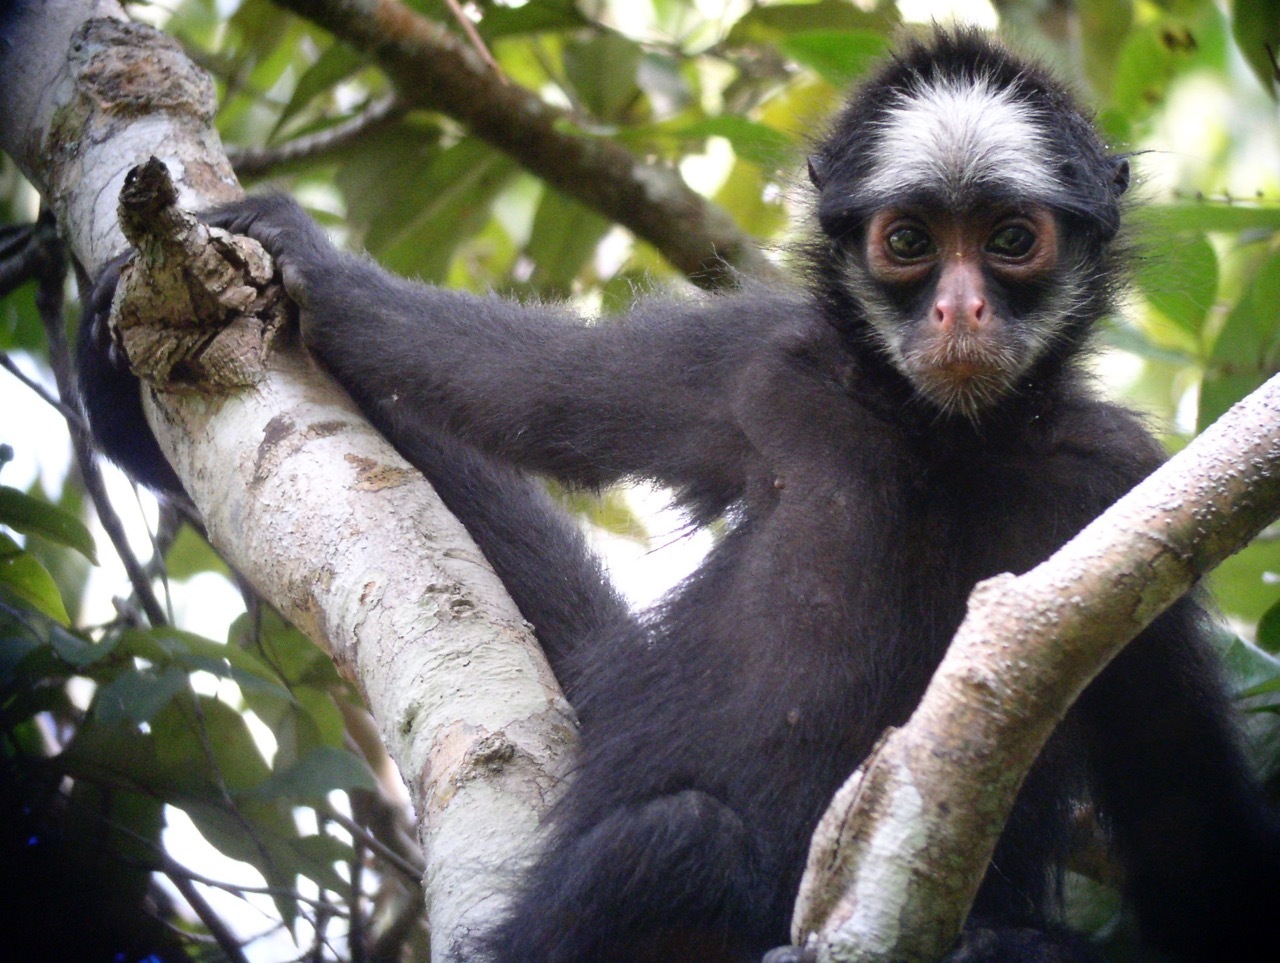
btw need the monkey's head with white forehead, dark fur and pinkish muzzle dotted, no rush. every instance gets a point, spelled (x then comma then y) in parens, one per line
(968, 211)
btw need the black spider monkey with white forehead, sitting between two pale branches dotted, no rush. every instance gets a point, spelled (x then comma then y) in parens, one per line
(909, 419)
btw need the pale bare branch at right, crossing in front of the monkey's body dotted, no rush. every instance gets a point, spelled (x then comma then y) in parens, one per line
(899, 857)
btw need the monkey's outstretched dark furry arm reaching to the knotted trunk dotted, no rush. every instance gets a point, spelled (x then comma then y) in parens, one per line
(651, 394)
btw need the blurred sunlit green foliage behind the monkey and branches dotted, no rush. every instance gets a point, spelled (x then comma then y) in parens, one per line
(186, 777)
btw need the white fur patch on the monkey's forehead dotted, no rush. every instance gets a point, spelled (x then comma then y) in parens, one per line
(958, 136)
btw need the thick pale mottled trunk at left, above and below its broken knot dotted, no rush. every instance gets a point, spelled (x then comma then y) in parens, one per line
(299, 494)
